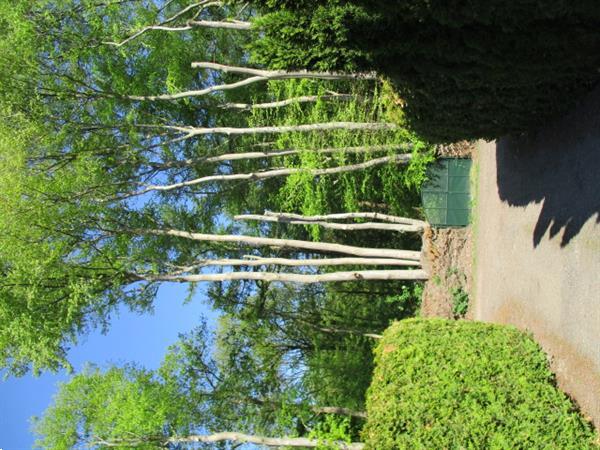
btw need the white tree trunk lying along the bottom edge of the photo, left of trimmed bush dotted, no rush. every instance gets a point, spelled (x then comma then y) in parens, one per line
(261, 440)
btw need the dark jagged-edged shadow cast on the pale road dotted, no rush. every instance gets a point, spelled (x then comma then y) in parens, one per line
(558, 166)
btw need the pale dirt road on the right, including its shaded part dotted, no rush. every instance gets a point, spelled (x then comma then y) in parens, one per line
(537, 244)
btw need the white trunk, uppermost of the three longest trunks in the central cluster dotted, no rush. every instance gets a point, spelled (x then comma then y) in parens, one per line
(287, 243)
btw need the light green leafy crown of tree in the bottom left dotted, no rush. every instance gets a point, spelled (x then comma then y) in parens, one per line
(127, 407)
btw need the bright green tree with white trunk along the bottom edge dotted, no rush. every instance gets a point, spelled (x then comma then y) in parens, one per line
(135, 408)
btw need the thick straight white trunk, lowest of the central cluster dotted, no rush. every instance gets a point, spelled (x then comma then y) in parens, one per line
(359, 275)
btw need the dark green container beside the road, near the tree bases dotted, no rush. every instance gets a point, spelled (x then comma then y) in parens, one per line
(446, 194)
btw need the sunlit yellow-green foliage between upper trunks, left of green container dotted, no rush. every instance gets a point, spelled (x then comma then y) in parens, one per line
(392, 185)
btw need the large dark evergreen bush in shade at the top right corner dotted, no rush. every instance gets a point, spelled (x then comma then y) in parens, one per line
(478, 69)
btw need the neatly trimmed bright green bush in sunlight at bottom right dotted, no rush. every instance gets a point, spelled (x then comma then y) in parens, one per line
(447, 385)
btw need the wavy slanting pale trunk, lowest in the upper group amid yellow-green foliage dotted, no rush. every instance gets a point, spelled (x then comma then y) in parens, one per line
(398, 159)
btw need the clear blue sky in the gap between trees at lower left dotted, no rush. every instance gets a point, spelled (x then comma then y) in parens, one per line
(140, 338)
